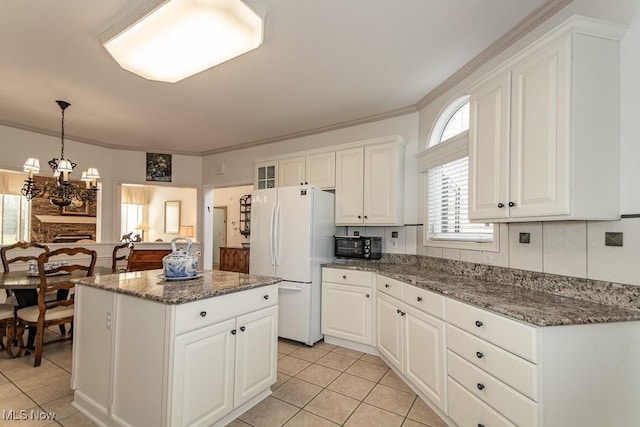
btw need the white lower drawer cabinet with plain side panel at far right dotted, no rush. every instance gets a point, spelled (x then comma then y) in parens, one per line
(507, 373)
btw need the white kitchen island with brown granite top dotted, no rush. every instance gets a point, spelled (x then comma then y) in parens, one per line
(148, 351)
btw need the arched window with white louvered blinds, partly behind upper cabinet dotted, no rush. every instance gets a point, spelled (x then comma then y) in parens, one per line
(445, 164)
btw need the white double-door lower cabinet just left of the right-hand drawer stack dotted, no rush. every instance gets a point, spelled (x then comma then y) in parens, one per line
(412, 341)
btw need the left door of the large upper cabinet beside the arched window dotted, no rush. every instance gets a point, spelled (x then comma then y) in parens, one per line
(489, 149)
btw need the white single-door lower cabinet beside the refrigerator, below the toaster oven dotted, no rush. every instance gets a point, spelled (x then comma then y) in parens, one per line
(347, 305)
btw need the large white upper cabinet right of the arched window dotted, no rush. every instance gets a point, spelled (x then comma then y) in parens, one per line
(544, 130)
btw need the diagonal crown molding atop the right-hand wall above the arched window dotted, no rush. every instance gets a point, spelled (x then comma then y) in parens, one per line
(529, 23)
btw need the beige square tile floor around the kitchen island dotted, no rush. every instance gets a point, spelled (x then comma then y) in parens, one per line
(323, 385)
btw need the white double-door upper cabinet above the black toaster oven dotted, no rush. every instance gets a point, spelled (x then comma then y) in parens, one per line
(370, 184)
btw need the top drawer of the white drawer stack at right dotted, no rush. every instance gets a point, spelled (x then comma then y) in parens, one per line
(511, 335)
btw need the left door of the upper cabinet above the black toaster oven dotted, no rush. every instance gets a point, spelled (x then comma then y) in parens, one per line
(349, 186)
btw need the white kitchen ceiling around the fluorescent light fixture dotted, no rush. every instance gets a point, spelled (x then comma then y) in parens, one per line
(323, 62)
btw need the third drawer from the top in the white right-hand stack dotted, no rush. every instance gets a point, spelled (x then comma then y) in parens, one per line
(514, 406)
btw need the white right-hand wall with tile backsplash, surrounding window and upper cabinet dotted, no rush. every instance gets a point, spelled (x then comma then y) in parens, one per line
(569, 248)
